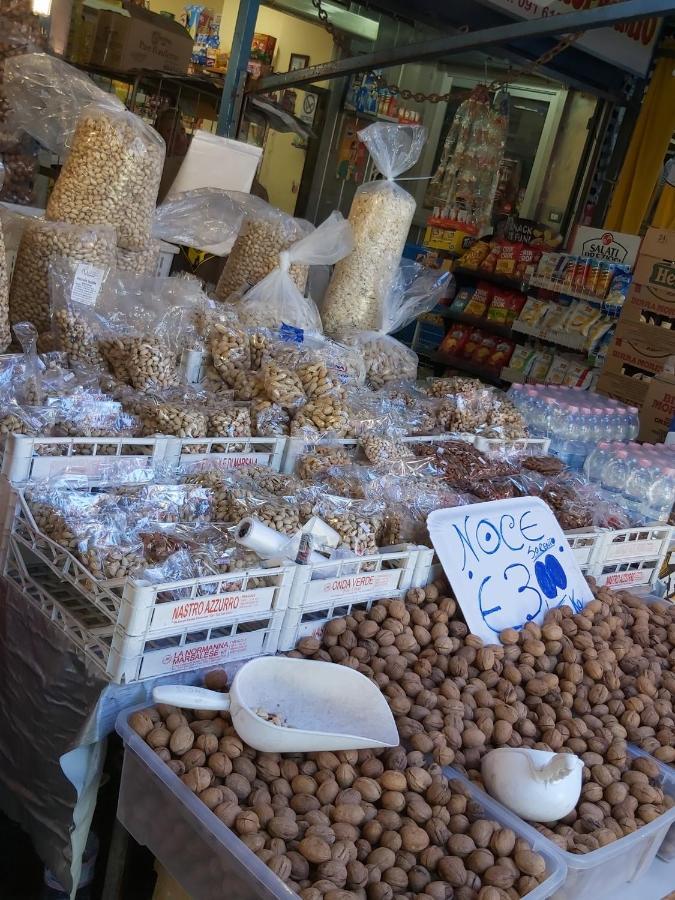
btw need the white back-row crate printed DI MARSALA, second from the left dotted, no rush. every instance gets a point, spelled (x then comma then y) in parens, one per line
(227, 452)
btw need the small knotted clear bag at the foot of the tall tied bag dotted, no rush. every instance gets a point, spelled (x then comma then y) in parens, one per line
(415, 289)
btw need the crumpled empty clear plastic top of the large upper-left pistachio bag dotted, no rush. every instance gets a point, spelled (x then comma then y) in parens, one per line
(47, 96)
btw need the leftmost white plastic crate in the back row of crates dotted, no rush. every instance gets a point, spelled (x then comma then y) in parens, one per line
(30, 459)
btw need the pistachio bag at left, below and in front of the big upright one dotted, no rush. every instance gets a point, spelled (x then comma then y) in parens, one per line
(41, 244)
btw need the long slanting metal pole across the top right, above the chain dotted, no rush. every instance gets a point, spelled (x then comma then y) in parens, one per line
(570, 23)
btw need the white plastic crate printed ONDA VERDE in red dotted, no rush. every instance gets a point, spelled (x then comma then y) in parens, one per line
(388, 573)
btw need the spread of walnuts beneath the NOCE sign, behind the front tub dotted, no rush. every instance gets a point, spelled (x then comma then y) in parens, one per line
(586, 683)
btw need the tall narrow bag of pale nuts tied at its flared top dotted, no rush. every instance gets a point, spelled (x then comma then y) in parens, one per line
(380, 216)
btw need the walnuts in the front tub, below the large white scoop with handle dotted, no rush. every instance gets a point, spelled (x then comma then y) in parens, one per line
(348, 825)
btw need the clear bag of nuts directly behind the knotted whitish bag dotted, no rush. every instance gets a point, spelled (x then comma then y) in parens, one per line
(265, 233)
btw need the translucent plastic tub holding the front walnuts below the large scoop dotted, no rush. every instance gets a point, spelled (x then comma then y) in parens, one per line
(205, 856)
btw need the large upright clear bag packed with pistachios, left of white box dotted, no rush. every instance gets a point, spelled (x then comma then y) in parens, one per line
(111, 175)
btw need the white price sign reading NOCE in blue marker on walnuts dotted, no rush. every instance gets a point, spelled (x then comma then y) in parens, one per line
(508, 562)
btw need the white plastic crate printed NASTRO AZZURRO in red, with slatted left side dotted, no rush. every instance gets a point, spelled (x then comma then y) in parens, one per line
(144, 610)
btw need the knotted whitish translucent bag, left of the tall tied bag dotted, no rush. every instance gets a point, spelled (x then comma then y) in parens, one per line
(277, 300)
